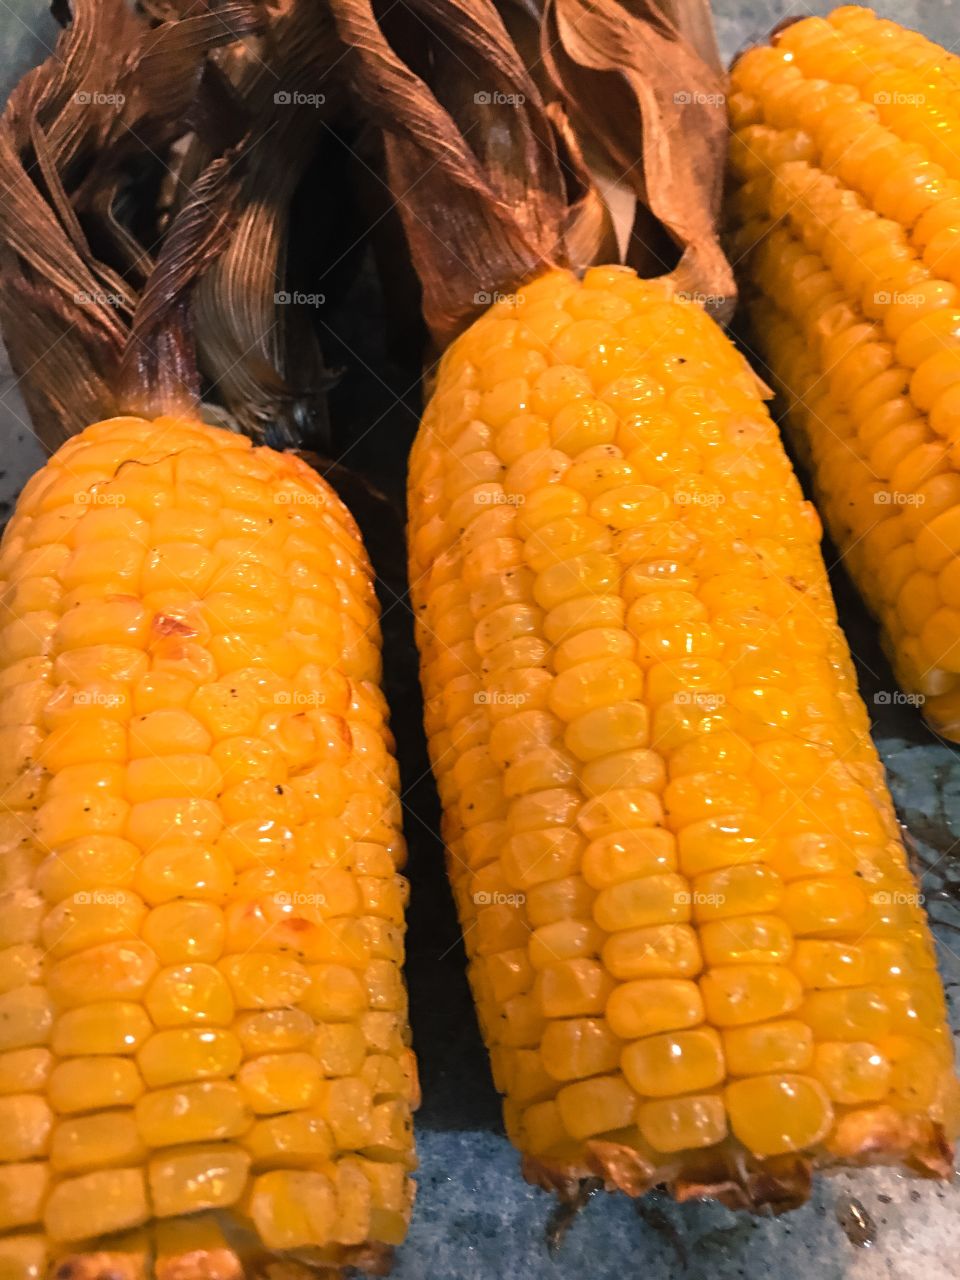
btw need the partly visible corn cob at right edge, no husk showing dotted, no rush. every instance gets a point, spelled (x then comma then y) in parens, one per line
(847, 222)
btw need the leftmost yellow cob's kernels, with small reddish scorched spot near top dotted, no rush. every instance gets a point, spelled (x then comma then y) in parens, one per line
(202, 920)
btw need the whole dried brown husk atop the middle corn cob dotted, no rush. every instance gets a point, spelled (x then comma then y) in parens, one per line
(505, 164)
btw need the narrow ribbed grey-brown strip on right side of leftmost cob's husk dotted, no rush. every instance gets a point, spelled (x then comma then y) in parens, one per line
(264, 360)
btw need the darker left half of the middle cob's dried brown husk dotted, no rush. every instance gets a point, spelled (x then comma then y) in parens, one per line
(483, 209)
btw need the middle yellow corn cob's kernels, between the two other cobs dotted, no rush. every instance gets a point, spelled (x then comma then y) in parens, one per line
(694, 943)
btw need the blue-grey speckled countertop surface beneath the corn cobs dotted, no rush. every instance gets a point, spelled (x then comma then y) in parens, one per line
(476, 1218)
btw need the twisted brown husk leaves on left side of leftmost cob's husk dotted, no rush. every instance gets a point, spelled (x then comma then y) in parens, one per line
(83, 135)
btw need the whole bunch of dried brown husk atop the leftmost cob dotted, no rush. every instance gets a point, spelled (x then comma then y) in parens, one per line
(150, 164)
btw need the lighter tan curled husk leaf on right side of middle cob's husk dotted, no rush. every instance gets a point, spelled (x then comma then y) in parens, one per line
(642, 81)
